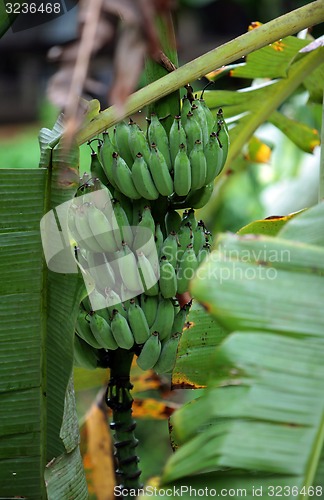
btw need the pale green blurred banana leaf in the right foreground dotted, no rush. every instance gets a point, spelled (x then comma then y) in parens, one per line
(260, 423)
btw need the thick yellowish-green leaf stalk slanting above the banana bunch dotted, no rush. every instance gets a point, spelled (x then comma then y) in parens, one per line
(280, 27)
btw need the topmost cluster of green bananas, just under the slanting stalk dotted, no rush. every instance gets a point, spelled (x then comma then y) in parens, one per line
(181, 165)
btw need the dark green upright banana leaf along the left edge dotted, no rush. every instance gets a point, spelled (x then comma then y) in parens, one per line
(38, 308)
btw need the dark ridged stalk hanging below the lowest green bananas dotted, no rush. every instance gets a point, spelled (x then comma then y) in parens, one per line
(119, 399)
